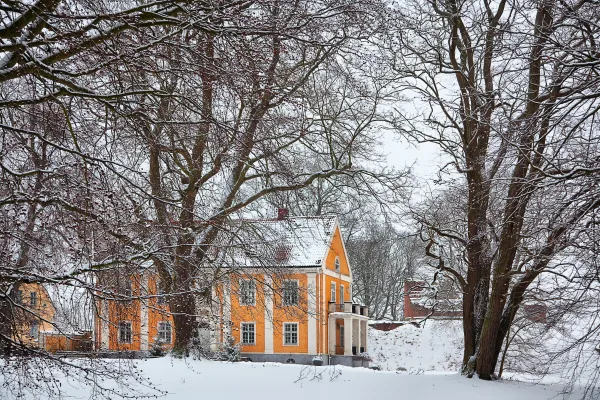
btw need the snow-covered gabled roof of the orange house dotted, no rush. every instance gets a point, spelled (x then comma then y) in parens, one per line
(288, 242)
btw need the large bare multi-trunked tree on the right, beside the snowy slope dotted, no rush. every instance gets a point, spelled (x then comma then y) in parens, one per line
(509, 91)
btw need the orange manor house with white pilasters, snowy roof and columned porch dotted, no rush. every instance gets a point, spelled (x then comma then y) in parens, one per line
(287, 298)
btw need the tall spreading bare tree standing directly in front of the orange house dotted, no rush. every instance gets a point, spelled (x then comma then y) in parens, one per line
(235, 121)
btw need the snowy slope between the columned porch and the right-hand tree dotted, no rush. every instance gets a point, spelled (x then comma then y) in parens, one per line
(435, 346)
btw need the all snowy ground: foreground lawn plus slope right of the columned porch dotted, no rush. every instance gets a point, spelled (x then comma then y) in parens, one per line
(416, 363)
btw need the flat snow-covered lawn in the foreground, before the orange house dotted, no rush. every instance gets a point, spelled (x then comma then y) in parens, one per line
(223, 381)
